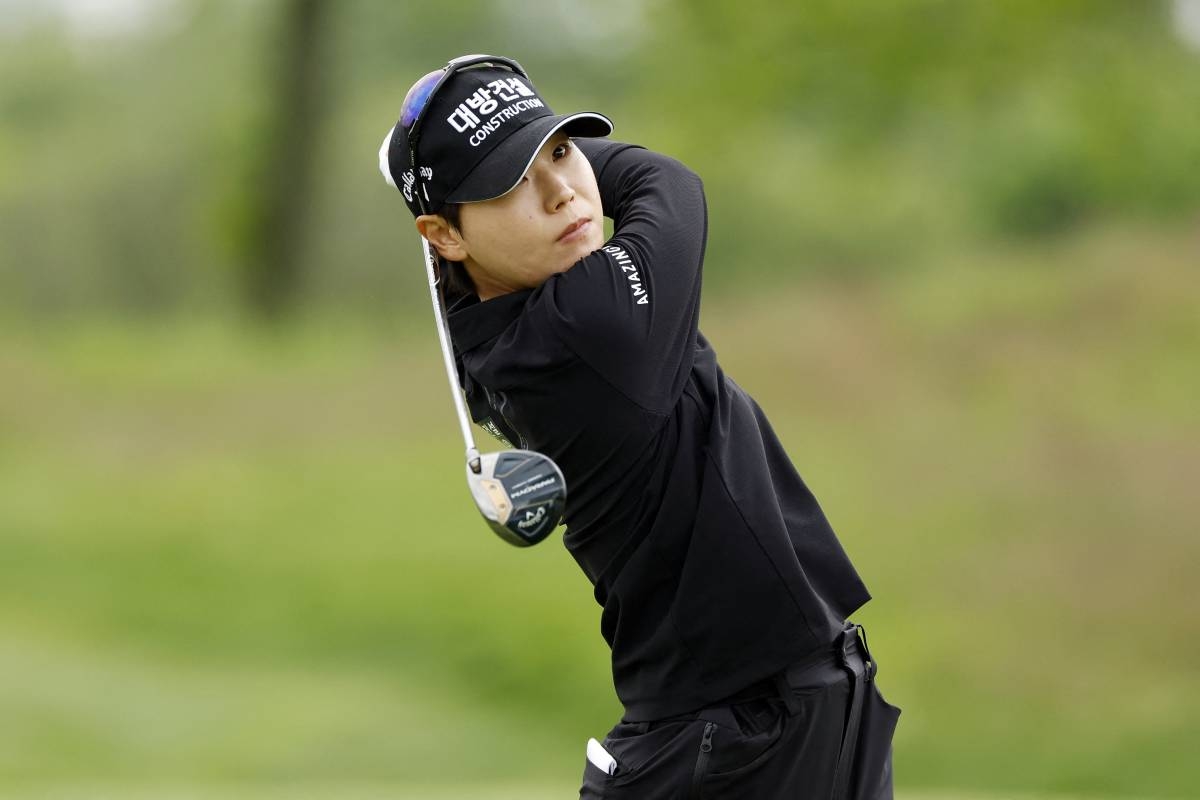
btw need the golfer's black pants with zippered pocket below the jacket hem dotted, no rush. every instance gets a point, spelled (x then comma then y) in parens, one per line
(820, 731)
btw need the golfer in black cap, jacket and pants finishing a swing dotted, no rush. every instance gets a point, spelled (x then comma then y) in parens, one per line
(725, 592)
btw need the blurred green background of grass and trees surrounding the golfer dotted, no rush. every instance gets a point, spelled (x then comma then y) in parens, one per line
(955, 254)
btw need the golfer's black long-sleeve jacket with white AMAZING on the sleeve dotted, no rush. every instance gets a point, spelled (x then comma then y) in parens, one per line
(713, 563)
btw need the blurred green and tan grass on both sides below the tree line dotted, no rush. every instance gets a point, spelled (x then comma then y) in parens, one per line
(233, 560)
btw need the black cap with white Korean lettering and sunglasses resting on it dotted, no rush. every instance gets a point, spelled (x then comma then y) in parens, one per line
(483, 129)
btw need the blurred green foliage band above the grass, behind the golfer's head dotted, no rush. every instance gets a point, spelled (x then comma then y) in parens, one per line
(830, 135)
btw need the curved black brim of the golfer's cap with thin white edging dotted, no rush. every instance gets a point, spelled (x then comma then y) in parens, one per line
(503, 169)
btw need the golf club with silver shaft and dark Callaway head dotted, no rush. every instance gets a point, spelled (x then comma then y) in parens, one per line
(520, 494)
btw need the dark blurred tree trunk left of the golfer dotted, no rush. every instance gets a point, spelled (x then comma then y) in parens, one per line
(281, 194)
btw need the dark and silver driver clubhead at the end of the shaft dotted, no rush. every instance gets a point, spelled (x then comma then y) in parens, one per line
(521, 495)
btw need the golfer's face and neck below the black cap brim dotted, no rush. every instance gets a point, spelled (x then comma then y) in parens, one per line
(551, 220)
